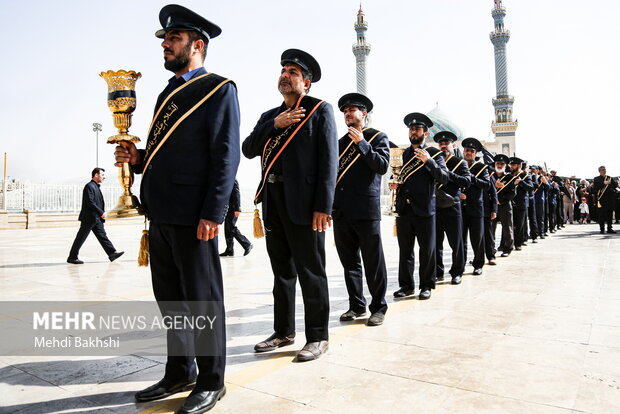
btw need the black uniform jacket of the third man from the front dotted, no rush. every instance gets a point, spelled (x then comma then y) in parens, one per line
(358, 192)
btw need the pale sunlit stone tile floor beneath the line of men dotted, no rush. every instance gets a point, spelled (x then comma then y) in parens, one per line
(539, 333)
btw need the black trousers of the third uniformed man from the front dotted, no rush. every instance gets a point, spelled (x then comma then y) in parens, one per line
(353, 237)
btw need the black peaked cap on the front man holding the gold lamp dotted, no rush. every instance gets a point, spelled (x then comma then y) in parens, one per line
(175, 17)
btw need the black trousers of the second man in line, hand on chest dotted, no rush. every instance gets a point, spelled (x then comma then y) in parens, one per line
(296, 251)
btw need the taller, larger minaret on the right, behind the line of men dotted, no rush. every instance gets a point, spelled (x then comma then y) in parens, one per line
(503, 127)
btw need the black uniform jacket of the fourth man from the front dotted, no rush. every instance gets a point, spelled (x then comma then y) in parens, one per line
(417, 195)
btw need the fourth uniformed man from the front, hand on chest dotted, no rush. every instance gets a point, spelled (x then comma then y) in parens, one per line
(423, 166)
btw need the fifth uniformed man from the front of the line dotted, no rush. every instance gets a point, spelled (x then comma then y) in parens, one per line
(449, 218)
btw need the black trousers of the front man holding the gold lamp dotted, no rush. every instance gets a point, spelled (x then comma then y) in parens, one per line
(187, 279)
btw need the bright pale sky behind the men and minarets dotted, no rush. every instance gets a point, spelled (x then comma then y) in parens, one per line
(563, 67)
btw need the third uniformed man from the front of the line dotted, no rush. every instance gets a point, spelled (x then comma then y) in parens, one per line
(364, 158)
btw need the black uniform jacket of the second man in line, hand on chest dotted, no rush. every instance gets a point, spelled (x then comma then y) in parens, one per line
(309, 162)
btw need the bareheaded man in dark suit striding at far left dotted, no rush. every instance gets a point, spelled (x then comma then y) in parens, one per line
(92, 217)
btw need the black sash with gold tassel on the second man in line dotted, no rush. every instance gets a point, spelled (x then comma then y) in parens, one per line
(272, 151)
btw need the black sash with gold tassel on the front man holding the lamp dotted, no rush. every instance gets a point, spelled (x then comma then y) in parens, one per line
(180, 104)
